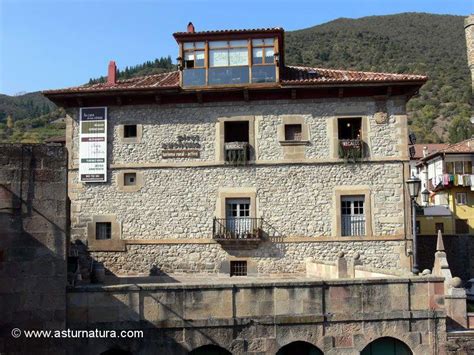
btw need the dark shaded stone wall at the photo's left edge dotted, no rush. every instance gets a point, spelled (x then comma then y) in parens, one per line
(33, 230)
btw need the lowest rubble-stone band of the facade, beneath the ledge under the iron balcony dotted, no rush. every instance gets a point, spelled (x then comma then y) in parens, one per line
(269, 258)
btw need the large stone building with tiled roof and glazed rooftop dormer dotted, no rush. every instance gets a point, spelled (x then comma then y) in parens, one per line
(239, 163)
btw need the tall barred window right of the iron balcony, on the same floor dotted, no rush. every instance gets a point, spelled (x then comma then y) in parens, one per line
(352, 215)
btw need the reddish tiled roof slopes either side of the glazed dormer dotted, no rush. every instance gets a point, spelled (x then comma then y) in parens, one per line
(291, 76)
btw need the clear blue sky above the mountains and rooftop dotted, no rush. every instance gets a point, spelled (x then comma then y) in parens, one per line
(47, 44)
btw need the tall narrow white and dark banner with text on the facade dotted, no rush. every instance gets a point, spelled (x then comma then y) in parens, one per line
(93, 144)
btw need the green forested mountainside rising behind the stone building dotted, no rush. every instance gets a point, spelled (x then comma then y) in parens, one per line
(406, 43)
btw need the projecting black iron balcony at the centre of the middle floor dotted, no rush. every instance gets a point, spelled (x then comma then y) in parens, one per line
(242, 232)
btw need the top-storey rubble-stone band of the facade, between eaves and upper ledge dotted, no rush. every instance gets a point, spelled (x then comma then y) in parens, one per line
(164, 123)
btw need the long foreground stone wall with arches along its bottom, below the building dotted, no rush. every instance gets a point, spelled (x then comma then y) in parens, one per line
(338, 317)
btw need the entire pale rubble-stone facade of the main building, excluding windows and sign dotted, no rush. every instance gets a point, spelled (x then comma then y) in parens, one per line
(168, 221)
